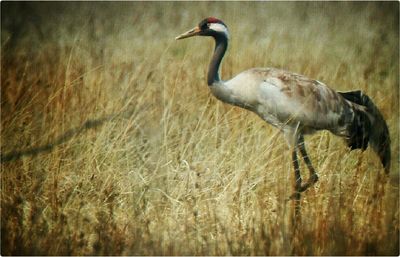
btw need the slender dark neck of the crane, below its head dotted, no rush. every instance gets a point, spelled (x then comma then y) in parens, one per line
(221, 44)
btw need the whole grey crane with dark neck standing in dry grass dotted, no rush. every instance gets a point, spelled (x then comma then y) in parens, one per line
(296, 105)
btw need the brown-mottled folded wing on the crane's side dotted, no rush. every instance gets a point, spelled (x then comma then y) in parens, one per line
(291, 98)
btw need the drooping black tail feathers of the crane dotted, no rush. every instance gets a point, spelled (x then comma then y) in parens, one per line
(368, 126)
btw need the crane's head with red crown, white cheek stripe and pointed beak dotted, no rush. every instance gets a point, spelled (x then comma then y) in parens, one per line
(208, 27)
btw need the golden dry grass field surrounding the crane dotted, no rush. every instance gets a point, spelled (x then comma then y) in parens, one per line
(112, 143)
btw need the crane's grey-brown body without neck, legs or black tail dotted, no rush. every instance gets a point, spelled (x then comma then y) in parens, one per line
(287, 100)
